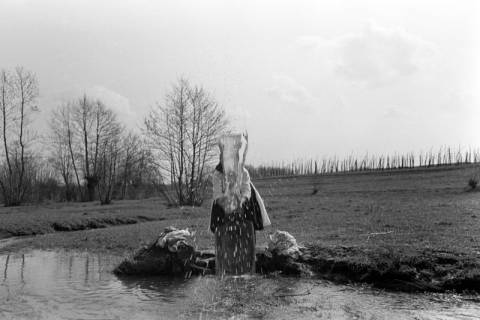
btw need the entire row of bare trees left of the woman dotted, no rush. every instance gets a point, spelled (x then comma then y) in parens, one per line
(88, 154)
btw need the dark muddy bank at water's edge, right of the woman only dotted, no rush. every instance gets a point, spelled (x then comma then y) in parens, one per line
(428, 270)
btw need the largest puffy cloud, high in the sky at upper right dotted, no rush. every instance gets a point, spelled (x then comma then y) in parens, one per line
(374, 56)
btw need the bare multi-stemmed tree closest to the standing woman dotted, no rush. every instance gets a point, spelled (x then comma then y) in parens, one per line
(184, 130)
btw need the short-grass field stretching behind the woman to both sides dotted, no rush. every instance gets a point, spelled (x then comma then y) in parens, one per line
(354, 216)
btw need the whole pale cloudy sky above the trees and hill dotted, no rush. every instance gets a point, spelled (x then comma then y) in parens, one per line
(306, 79)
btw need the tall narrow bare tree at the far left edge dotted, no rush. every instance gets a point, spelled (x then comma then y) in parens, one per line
(18, 93)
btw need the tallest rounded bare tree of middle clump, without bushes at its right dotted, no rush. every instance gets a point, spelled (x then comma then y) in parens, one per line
(85, 131)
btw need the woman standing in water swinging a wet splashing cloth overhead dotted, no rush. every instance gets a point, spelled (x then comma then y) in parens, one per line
(237, 209)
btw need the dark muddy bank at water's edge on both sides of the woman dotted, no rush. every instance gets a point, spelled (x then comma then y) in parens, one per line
(429, 270)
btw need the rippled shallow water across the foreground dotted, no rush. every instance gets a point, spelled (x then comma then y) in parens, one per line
(74, 285)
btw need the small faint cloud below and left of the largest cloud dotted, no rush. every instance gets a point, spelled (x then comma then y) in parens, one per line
(291, 94)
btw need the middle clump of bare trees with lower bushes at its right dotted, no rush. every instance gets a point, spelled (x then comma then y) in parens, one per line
(95, 156)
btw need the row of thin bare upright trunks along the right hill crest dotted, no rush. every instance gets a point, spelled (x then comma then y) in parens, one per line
(445, 156)
